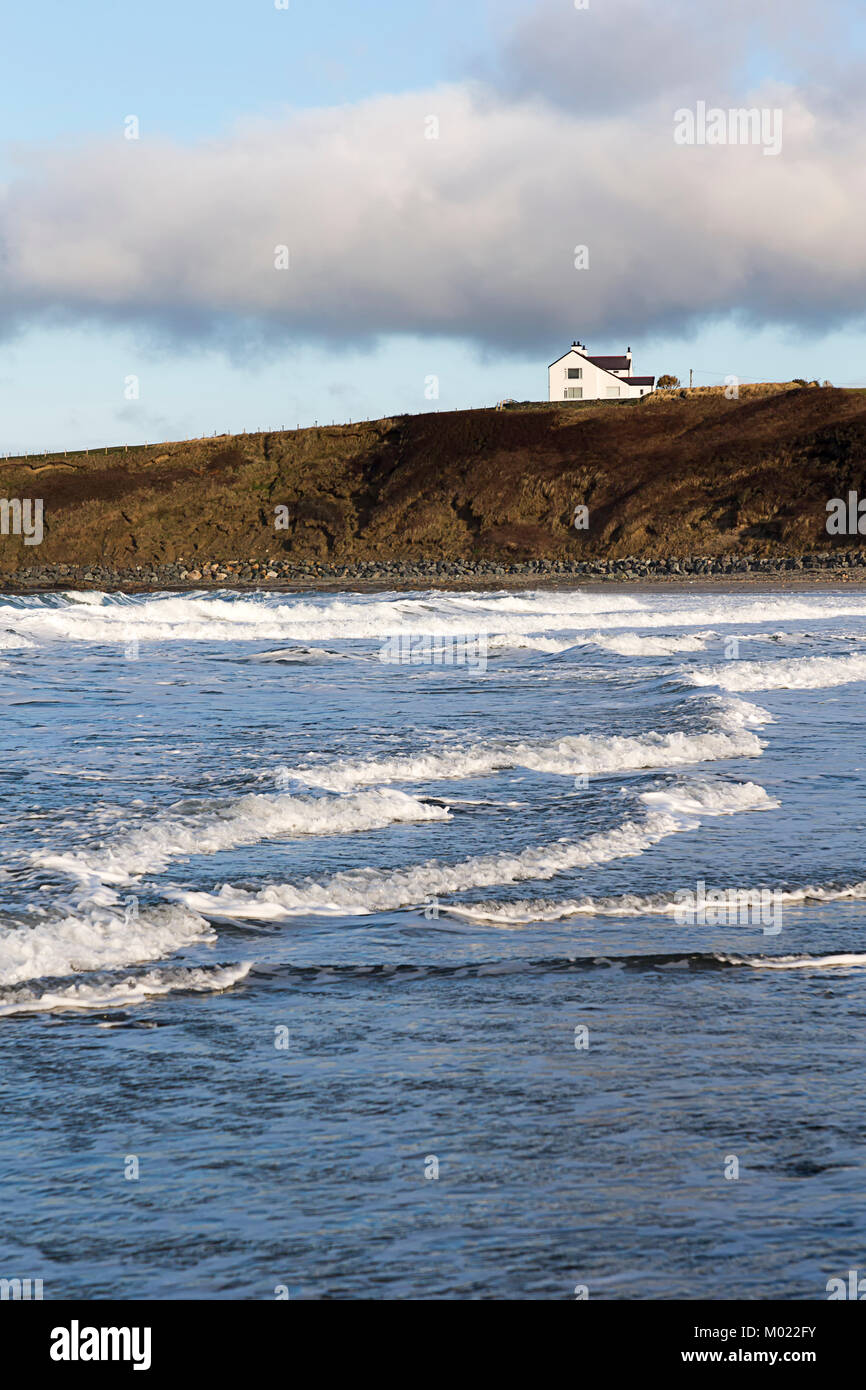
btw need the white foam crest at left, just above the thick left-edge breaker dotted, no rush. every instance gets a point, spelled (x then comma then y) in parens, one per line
(245, 822)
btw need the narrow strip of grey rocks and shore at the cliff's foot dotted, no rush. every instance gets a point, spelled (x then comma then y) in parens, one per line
(283, 578)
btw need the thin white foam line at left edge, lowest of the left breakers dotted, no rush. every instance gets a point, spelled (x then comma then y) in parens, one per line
(123, 993)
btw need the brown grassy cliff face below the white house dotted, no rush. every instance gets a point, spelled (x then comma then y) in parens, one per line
(671, 477)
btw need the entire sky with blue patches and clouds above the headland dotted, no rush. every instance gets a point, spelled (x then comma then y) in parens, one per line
(334, 212)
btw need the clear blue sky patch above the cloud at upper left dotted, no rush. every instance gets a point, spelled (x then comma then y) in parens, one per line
(193, 69)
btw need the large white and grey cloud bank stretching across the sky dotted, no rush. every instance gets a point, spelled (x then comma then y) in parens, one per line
(468, 236)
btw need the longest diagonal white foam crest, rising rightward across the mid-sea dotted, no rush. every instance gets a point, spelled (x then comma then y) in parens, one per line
(362, 892)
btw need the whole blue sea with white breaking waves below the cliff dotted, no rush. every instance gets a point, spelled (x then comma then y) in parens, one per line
(434, 946)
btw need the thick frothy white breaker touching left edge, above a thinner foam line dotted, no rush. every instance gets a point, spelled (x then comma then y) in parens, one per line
(97, 940)
